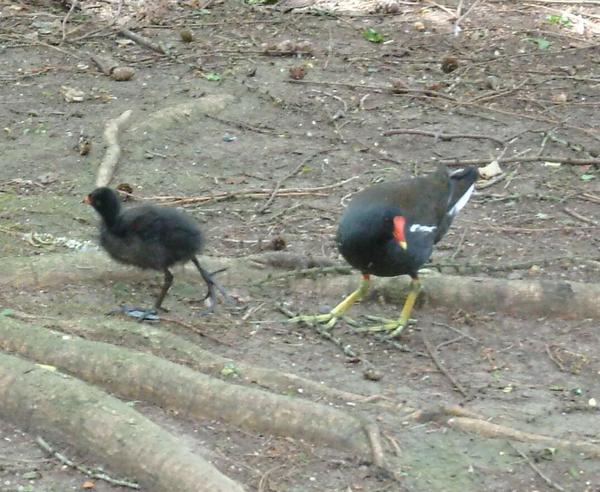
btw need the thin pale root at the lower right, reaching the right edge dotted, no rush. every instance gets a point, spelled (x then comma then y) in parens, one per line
(495, 431)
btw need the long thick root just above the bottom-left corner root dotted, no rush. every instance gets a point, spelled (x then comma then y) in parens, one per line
(193, 395)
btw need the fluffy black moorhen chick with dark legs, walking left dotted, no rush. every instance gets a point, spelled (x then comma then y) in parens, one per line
(151, 237)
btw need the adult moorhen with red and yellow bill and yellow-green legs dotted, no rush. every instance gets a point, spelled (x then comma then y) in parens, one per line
(389, 229)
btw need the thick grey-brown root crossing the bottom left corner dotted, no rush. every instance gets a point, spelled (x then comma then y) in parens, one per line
(48, 403)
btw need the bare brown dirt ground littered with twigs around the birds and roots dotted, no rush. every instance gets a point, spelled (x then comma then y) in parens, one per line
(525, 88)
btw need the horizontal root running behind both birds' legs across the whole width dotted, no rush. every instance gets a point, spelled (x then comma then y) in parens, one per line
(525, 298)
